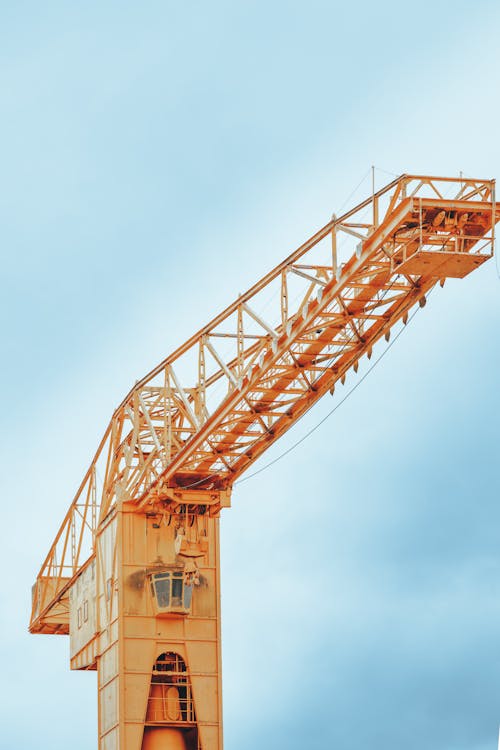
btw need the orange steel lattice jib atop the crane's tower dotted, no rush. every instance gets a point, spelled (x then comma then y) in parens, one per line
(199, 419)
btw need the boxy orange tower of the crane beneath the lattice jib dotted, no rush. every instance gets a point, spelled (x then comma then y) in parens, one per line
(135, 631)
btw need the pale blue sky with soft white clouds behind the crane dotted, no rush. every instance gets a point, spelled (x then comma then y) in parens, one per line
(156, 160)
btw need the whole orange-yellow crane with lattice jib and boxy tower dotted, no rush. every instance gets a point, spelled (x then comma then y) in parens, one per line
(133, 573)
